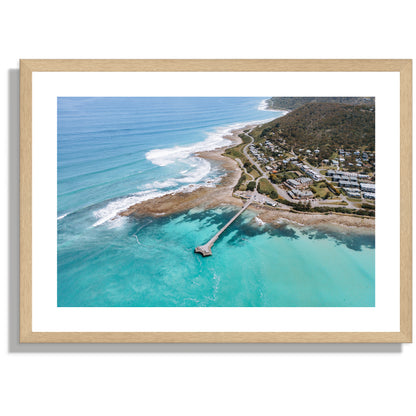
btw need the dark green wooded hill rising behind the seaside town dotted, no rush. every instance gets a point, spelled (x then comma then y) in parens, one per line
(324, 126)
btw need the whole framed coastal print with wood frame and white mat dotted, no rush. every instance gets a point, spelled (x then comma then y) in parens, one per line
(221, 201)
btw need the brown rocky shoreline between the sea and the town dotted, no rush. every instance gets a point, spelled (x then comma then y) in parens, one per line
(222, 194)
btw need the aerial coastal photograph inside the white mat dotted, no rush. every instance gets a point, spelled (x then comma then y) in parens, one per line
(216, 201)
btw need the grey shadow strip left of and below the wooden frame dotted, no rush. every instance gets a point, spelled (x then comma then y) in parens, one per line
(14, 345)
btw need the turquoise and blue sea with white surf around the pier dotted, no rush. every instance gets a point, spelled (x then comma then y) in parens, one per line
(115, 152)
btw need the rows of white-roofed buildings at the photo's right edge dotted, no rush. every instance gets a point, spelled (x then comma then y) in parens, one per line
(353, 185)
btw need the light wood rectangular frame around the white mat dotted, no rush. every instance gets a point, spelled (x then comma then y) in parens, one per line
(27, 67)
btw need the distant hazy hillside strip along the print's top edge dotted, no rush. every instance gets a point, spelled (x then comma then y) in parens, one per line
(292, 103)
